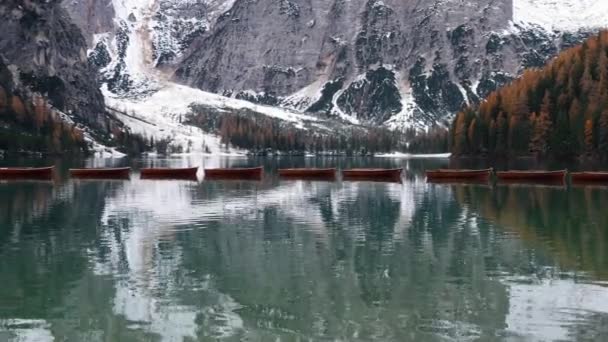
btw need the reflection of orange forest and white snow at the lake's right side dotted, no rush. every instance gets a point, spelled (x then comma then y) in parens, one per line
(557, 285)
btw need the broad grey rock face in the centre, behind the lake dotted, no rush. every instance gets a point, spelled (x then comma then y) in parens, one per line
(400, 63)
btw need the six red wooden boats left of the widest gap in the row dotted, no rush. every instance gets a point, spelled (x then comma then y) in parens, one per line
(191, 173)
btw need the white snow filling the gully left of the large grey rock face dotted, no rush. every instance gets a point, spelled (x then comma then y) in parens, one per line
(156, 107)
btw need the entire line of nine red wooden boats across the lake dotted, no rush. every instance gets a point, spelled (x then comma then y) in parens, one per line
(483, 175)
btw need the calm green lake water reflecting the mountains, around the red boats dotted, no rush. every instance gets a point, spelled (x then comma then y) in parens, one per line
(300, 260)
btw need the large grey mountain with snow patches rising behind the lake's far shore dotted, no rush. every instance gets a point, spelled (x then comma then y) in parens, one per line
(394, 63)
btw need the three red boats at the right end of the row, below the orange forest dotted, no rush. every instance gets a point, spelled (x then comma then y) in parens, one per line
(485, 175)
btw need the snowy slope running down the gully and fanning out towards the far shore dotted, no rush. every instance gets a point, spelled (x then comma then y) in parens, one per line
(155, 106)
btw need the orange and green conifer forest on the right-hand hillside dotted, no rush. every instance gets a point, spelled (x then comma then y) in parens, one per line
(559, 111)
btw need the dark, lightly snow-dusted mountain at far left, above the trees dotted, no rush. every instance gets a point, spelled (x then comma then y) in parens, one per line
(43, 64)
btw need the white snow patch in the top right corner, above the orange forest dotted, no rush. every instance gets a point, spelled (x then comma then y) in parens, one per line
(561, 15)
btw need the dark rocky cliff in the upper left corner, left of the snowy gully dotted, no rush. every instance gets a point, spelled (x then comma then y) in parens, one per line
(46, 54)
